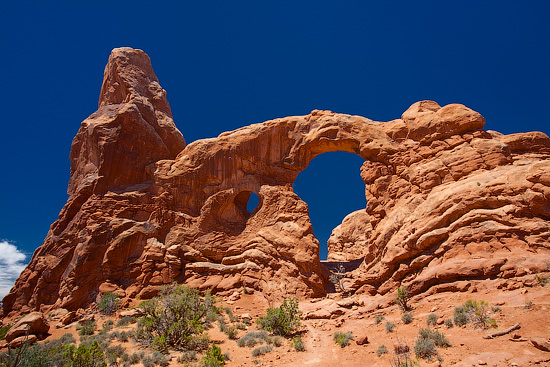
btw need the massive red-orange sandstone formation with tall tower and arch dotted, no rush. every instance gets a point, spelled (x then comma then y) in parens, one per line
(447, 202)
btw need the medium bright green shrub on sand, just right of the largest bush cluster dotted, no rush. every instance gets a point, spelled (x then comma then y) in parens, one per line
(282, 320)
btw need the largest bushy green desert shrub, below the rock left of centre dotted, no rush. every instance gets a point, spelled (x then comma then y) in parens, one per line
(179, 315)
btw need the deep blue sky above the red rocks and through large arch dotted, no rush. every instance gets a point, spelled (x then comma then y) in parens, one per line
(230, 64)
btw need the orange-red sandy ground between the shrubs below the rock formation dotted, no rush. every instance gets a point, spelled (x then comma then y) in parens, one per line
(469, 348)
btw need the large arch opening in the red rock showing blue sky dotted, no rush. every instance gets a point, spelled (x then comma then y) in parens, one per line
(332, 187)
